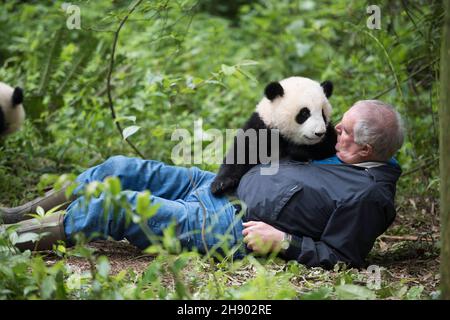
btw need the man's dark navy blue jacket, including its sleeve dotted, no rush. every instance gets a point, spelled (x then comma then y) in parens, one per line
(334, 211)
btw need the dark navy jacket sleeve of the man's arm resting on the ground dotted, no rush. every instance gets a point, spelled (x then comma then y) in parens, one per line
(349, 235)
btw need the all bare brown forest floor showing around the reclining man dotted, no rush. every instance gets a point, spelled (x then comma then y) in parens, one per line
(407, 253)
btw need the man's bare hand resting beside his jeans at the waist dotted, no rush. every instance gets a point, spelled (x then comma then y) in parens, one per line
(262, 237)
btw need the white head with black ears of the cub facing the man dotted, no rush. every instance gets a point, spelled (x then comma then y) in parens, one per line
(298, 107)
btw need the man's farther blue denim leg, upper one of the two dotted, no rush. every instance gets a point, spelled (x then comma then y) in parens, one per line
(166, 181)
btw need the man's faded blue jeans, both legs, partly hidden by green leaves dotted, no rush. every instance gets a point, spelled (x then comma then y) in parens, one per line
(184, 198)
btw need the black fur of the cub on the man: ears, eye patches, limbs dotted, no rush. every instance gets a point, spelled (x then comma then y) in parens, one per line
(229, 175)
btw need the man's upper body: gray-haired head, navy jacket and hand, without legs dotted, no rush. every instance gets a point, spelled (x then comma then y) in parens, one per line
(337, 210)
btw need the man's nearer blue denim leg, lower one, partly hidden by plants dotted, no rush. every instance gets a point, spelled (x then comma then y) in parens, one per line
(215, 216)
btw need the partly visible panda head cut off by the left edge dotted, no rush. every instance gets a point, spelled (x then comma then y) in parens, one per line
(12, 113)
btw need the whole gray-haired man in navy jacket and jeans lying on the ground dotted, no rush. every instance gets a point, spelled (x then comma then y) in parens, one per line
(317, 213)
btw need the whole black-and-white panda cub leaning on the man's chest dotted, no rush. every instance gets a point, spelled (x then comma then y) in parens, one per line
(298, 107)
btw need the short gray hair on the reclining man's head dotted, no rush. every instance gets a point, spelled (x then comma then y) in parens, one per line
(381, 126)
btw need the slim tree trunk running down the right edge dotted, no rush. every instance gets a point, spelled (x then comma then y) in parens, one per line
(444, 146)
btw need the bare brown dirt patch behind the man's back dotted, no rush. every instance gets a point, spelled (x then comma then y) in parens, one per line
(409, 250)
